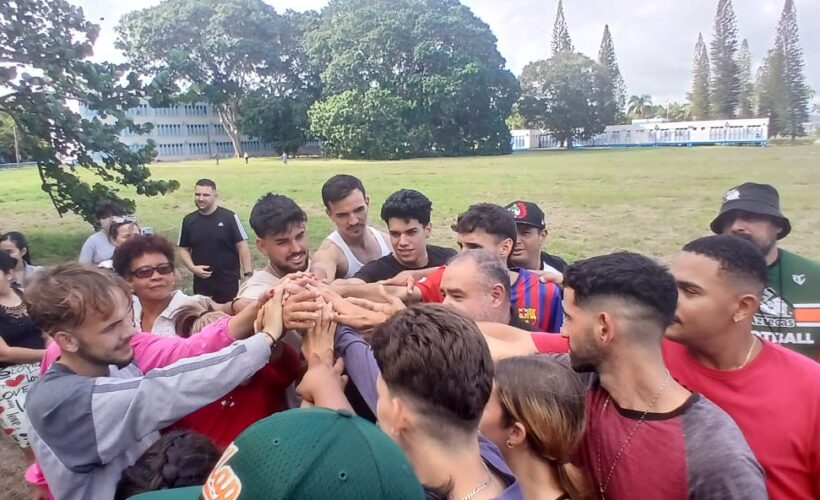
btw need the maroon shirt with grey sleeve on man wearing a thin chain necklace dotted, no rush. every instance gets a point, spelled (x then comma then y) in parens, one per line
(694, 451)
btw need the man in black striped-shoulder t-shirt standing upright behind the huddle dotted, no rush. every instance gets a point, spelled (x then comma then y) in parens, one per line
(212, 243)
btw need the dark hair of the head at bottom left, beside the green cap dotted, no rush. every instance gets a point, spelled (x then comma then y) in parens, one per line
(180, 458)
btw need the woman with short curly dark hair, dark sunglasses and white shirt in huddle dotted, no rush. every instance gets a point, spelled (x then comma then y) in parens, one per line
(147, 264)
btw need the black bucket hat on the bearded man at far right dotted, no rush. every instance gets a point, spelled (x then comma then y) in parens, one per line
(760, 199)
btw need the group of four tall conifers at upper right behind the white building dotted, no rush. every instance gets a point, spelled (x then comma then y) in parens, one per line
(722, 85)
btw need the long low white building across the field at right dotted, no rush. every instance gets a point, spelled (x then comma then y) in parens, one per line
(658, 132)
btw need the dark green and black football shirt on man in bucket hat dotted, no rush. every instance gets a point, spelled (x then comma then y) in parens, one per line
(789, 311)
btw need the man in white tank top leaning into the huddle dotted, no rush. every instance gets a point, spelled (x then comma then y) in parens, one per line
(353, 244)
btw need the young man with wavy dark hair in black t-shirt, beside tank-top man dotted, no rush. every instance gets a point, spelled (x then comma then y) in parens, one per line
(407, 214)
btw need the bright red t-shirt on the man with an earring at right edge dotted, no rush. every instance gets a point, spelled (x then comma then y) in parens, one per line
(775, 401)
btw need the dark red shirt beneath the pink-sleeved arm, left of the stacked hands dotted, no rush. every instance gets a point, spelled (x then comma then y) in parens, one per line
(261, 396)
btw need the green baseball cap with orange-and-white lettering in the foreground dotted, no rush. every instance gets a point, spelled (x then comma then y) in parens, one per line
(306, 453)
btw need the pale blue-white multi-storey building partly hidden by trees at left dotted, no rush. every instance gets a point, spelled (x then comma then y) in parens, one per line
(188, 132)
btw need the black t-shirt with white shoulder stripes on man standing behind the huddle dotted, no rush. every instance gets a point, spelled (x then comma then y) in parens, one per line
(212, 241)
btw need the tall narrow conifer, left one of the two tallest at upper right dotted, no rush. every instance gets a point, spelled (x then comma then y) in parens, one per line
(724, 91)
